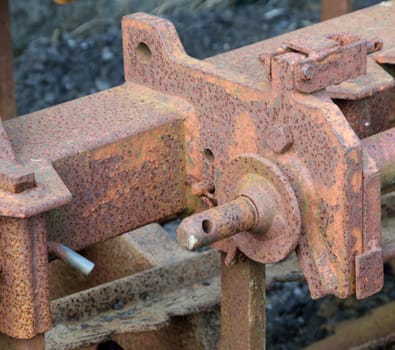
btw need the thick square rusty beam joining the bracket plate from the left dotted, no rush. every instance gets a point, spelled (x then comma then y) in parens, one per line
(127, 170)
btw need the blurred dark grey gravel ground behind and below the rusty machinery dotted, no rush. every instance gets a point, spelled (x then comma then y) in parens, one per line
(64, 52)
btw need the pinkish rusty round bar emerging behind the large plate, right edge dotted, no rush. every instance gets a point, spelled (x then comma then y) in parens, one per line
(381, 147)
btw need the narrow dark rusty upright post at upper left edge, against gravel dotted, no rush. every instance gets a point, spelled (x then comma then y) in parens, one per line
(7, 98)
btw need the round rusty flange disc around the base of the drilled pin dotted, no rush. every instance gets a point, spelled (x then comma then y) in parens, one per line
(277, 234)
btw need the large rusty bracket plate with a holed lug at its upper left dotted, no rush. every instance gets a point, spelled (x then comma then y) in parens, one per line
(241, 104)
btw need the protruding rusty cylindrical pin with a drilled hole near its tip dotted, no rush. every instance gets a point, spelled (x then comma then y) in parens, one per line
(212, 225)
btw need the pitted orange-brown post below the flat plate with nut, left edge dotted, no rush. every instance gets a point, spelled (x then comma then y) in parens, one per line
(24, 293)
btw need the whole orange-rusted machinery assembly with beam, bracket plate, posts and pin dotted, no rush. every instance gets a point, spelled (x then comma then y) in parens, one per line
(278, 146)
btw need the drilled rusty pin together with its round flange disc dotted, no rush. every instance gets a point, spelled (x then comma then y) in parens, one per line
(259, 209)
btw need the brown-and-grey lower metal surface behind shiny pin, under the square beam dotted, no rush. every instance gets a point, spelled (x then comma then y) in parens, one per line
(147, 247)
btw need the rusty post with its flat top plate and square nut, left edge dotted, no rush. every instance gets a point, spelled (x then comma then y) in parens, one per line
(24, 293)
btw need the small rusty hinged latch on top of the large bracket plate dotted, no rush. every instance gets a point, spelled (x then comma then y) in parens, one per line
(324, 61)
